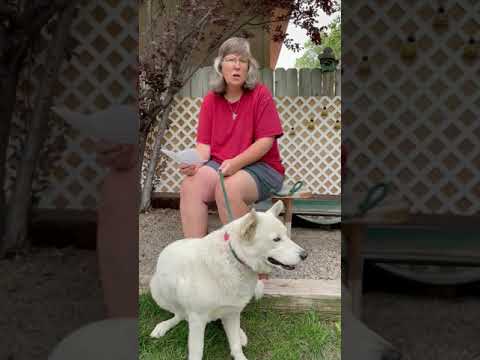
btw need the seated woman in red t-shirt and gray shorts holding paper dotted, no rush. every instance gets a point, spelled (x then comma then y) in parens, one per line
(237, 131)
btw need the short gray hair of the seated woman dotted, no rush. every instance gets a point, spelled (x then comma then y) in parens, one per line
(234, 45)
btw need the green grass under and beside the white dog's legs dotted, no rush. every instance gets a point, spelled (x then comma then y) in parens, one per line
(271, 336)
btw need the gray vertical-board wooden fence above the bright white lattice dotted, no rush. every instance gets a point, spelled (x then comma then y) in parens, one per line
(281, 82)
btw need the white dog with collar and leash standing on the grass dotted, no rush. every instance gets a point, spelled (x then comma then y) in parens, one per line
(201, 280)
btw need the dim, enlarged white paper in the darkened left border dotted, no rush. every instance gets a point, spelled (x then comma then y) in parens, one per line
(117, 124)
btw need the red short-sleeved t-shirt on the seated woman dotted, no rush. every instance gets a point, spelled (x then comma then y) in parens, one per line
(256, 118)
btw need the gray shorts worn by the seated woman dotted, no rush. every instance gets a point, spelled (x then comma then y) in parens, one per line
(268, 180)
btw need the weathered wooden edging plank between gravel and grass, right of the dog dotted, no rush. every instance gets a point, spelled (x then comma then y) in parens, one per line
(289, 295)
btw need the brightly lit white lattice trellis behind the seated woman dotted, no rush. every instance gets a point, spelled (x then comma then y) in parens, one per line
(310, 147)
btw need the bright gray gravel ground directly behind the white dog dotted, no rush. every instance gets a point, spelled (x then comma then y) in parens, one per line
(161, 227)
